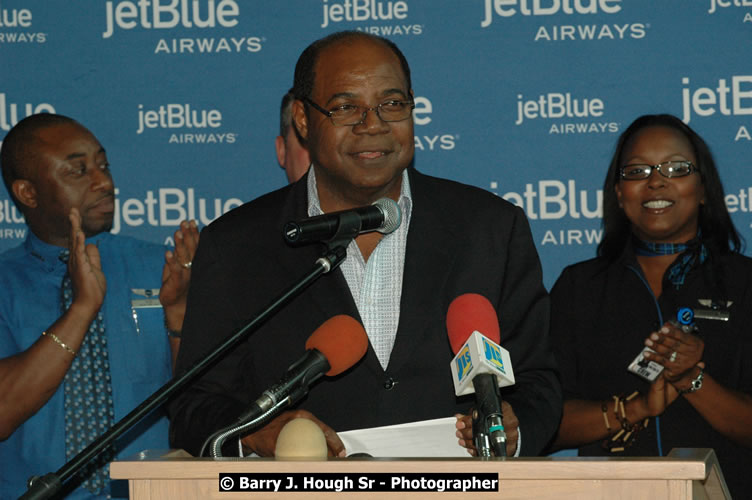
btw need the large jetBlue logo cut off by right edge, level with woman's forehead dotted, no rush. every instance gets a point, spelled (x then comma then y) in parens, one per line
(727, 97)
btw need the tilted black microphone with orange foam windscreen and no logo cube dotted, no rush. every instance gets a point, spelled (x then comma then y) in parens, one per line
(334, 347)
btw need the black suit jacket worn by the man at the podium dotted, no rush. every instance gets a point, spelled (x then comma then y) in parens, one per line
(461, 239)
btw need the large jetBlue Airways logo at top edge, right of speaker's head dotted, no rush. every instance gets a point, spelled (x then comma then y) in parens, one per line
(559, 8)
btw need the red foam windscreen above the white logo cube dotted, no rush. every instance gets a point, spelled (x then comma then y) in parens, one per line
(468, 313)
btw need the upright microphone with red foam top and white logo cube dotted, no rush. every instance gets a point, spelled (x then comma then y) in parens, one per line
(480, 366)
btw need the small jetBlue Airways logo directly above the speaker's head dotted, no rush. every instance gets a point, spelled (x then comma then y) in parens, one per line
(383, 17)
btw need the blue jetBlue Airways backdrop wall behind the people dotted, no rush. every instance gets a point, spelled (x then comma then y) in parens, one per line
(524, 98)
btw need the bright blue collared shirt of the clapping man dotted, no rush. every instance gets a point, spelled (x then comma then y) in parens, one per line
(30, 277)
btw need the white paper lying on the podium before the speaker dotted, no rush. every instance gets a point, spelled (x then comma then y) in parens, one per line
(428, 438)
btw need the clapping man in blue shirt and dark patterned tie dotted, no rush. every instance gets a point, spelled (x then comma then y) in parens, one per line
(82, 338)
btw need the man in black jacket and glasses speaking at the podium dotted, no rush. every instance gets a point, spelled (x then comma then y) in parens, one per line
(353, 108)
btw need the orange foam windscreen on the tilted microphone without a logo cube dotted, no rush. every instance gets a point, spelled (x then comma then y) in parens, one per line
(342, 340)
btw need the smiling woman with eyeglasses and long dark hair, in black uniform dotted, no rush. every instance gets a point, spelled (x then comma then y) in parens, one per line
(668, 277)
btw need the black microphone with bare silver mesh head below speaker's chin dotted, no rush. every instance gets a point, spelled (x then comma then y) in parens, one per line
(383, 216)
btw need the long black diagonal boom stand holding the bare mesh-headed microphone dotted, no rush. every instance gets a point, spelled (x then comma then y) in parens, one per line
(41, 487)
